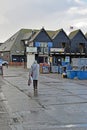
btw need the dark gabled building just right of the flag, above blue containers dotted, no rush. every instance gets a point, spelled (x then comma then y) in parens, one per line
(78, 47)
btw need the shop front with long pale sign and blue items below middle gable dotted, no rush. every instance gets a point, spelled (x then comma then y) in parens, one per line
(59, 60)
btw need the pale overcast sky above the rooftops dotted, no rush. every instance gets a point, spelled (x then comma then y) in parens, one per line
(35, 14)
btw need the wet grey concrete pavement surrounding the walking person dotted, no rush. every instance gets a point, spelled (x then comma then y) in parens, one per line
(59, 104)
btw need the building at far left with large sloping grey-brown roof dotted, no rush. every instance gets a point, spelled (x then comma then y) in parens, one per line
(12, 50)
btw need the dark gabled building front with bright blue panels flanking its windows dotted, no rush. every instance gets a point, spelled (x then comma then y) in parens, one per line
(43, 42)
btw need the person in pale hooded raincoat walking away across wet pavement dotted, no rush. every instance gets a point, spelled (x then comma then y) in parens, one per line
(35, 74)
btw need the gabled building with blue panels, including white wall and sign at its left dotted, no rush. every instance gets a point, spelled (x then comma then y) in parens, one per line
(38, 47)
